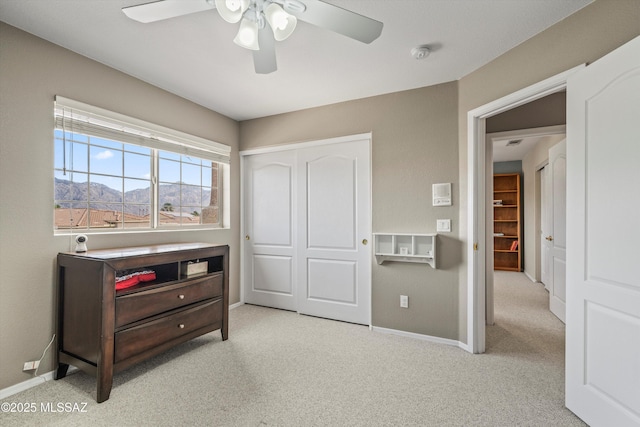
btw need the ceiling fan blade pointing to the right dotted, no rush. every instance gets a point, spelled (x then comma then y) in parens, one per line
(337, 19)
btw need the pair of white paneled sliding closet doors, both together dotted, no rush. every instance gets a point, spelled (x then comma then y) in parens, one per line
(307, 217)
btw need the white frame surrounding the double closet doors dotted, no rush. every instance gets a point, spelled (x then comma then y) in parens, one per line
(295, 146)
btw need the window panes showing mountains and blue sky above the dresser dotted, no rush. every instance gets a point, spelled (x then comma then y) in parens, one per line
(104, 184)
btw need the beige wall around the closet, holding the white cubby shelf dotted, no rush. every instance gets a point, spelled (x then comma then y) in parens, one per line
(414, 146)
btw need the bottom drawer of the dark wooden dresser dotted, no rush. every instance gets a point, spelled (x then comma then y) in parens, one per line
(145, 336)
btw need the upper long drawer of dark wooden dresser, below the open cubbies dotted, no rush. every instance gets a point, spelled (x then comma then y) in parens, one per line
(140, 305)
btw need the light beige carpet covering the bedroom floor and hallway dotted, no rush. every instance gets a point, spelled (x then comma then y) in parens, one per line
(279, 368)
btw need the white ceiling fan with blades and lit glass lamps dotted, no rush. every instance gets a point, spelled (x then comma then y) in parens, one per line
(263, 22)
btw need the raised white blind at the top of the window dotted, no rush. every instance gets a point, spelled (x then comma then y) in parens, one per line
(74, 116)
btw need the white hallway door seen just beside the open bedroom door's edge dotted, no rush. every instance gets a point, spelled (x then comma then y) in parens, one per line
(557, 237)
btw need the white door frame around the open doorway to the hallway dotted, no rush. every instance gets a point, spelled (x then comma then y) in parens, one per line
(476, 197)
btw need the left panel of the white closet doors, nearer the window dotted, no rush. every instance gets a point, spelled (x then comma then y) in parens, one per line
(269, 268)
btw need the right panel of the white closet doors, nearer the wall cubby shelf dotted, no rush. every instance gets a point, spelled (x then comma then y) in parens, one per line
(334, 214)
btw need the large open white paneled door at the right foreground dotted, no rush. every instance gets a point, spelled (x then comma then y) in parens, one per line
(603, 232)
